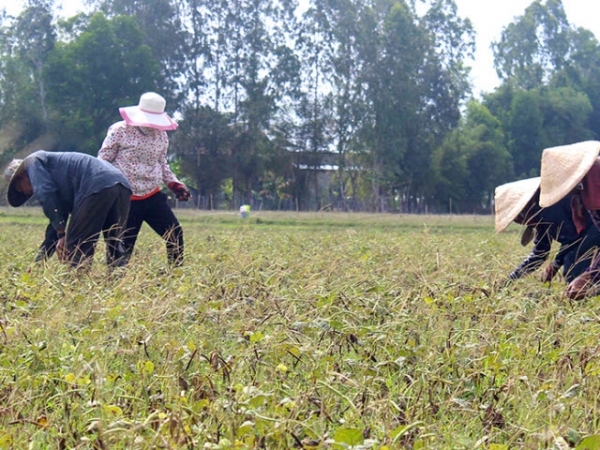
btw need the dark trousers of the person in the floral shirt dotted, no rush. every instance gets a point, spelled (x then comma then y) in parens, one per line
(157, 213)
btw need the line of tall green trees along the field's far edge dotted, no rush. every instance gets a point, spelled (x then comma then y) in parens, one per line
(342, 104)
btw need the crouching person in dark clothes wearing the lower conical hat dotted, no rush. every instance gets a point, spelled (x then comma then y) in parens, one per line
(518, 202)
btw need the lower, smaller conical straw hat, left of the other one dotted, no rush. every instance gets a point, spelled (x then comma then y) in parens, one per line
(511, 198)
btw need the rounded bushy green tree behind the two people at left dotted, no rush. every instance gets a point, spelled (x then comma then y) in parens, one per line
(104, 67)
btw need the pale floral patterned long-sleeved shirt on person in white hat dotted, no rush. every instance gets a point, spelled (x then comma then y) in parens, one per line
(140, 153)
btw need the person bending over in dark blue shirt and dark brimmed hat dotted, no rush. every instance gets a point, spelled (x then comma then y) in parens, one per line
(88, 193)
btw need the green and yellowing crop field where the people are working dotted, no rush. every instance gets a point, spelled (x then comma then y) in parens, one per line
(289, 330)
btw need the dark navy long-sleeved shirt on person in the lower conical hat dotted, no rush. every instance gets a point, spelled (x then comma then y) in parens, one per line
(554, 223)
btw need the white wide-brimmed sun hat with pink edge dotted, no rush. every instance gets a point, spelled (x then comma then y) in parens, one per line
(150, 112)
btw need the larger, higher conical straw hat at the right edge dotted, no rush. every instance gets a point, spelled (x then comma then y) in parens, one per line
(563, 168)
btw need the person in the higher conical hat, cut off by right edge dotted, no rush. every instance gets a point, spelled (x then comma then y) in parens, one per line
(574, 169)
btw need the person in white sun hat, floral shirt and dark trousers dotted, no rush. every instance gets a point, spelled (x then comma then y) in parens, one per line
(137, 146)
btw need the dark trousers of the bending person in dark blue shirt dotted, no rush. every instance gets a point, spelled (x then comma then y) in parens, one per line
(103, 212)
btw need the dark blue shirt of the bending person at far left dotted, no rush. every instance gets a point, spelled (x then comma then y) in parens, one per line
(61, 181)
